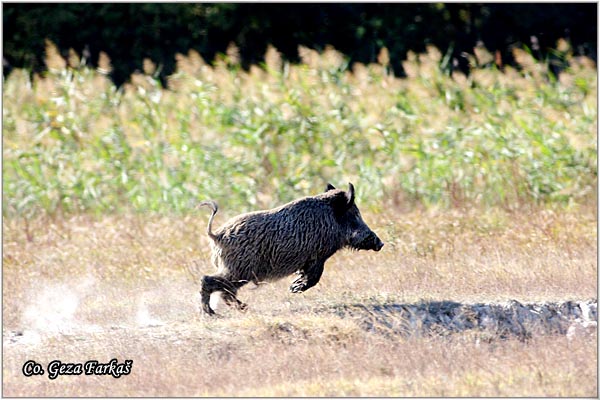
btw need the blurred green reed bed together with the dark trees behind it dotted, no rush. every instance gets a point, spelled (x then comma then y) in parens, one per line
(123, 113)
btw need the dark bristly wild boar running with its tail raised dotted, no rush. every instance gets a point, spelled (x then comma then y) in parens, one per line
(297, 237)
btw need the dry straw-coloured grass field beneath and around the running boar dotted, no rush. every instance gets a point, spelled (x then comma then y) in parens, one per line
(85, 288)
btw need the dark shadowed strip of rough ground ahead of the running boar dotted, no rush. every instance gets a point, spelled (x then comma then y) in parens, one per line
(503, 320)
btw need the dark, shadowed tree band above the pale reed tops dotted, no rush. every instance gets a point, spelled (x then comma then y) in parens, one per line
(128, 33)
